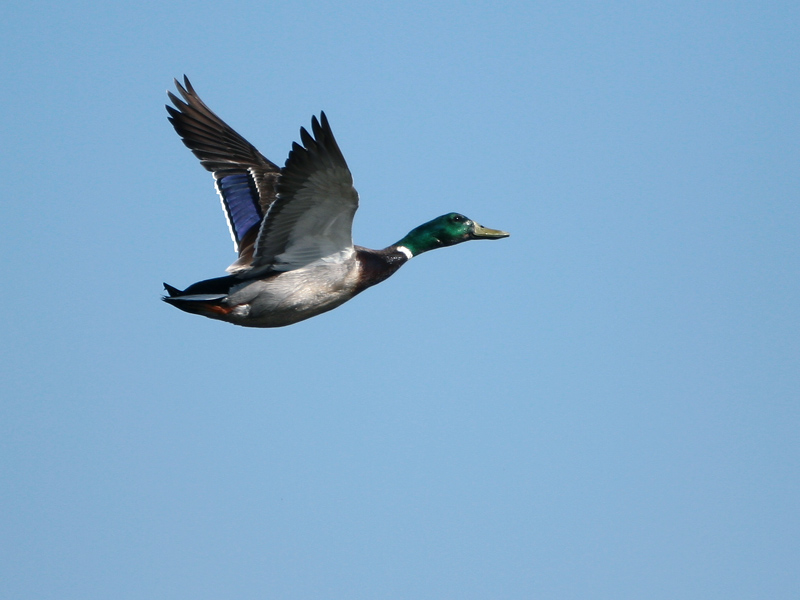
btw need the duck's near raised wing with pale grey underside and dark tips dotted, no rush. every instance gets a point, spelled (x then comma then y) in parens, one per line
(312, 216)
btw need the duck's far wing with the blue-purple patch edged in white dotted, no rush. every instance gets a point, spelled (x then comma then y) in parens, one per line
(245, 179)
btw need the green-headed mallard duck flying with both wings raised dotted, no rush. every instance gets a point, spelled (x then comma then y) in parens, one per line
(292, 226)
